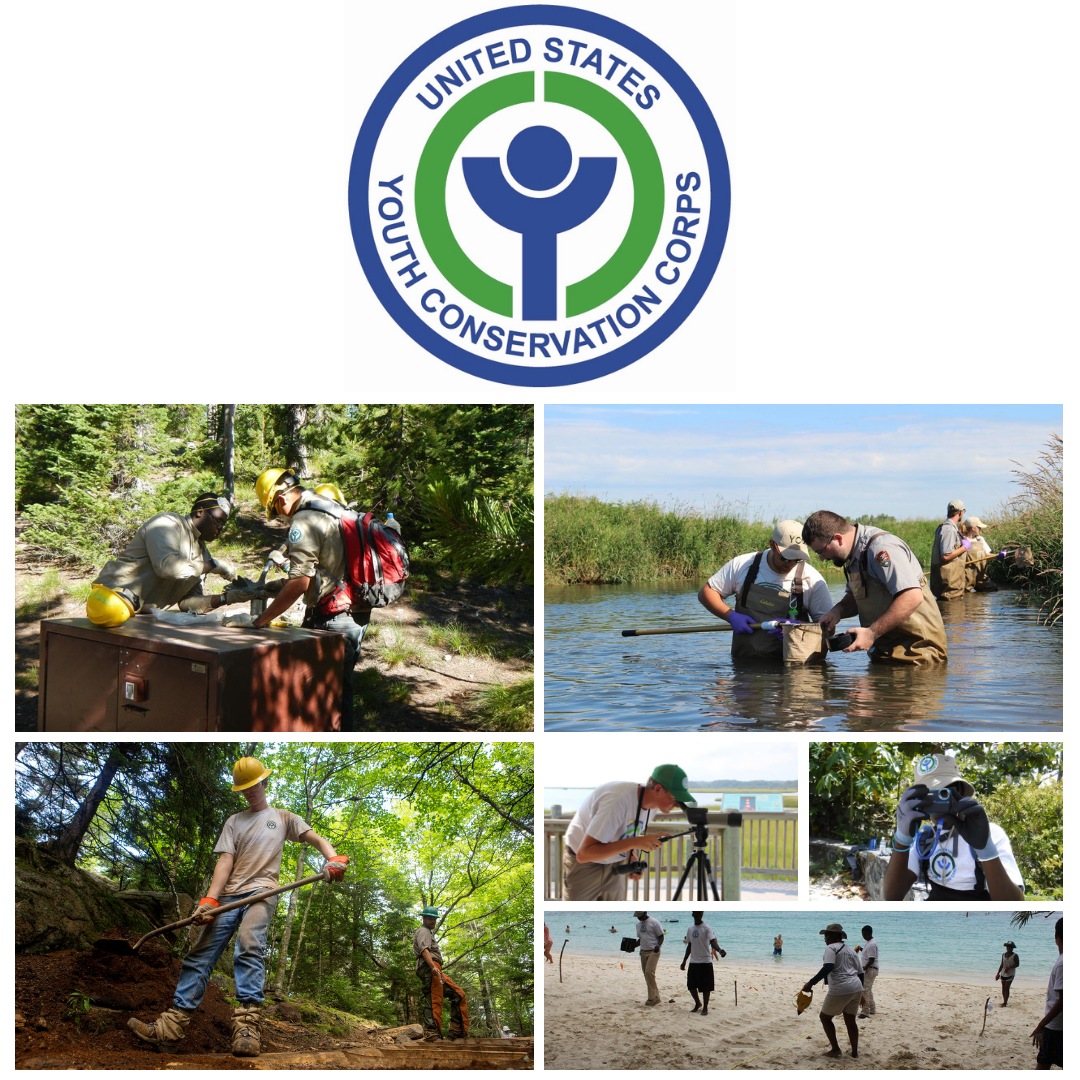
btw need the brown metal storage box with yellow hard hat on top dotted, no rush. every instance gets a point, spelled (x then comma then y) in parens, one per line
(153, 677)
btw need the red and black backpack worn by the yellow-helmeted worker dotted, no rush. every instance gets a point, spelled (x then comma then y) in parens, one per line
(376, 561)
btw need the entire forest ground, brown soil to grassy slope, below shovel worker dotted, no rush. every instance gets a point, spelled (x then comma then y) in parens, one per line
(72, 1011)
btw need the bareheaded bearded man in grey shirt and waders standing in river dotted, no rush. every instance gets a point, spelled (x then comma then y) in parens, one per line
(899, 618)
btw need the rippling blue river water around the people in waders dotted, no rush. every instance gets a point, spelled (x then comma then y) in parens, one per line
(1004, 672)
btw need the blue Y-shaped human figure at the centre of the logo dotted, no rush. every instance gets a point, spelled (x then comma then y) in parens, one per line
(539, 159)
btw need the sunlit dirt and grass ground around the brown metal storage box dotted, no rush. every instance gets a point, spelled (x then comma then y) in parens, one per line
(451, 656)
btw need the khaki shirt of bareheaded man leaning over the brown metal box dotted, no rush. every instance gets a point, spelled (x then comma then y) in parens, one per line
(163, 564)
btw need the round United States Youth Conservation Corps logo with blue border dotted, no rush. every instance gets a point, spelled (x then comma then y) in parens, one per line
(539, 196)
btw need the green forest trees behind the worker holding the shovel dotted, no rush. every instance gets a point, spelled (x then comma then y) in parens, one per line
(445, 825)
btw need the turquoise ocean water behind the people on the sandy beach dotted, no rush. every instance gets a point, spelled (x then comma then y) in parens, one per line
(949, 946)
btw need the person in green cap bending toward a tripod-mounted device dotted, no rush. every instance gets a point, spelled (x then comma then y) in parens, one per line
(611, 826)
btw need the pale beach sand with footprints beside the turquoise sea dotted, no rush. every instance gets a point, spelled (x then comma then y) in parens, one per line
(597, 1019)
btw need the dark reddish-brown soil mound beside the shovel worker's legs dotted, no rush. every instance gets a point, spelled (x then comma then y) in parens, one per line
(118, 988)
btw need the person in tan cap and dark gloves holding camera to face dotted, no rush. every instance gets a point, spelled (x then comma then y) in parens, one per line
(963, 856)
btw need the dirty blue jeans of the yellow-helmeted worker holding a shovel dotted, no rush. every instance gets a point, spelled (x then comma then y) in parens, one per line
(254, 923)
